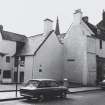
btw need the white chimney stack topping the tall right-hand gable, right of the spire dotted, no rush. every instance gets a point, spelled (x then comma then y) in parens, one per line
(77, 16)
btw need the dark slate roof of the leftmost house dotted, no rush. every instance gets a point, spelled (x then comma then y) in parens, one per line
(13, 36)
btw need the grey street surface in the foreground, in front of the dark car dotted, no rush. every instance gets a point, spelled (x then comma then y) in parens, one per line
(82, 98)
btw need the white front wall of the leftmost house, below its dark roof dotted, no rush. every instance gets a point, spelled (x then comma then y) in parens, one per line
(9, 48)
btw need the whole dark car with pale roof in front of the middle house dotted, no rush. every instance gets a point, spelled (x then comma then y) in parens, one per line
(43, 88)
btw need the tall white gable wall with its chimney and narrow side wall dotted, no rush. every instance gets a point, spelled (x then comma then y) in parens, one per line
(77, 46)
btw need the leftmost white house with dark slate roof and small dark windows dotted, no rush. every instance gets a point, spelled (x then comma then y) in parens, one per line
(9, 43)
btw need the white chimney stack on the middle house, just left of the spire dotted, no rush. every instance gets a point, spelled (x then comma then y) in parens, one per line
(48, 26)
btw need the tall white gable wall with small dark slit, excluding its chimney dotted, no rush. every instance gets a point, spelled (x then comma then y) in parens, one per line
(75, 48)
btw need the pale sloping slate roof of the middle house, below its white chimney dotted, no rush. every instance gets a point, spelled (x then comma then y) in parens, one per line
(34, 43)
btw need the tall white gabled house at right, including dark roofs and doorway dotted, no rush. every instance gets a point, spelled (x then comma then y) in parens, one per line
(84, 51)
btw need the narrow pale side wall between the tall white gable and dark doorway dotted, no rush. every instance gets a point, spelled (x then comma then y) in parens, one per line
(91, 60)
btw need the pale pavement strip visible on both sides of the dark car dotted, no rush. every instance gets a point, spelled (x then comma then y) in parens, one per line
(11, 95)
